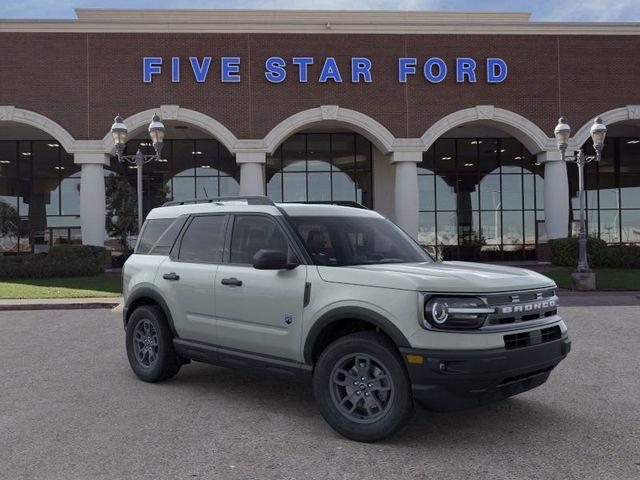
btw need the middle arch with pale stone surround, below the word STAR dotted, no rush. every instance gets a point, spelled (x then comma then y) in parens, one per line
(330, 154)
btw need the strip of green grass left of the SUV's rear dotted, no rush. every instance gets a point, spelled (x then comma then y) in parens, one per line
(71, 287)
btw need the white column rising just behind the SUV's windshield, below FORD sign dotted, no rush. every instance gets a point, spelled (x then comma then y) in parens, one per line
(406, 190)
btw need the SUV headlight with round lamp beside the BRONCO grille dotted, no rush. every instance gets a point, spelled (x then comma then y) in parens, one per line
(455, 313)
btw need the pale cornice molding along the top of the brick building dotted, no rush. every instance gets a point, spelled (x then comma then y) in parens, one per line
(317, 22)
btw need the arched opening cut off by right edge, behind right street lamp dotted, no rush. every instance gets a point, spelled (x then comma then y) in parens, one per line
(612, 187)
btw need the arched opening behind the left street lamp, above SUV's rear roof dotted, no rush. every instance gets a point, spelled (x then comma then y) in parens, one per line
(194, 165)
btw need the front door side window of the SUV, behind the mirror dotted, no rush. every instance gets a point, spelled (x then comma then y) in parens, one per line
(252, 233)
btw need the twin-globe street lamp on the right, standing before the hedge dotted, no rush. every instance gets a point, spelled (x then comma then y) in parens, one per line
(562, 133)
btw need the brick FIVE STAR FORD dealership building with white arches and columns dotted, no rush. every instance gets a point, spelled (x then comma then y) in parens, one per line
(443, 122)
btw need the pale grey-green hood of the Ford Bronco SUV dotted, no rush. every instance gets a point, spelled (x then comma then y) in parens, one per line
(459, 277)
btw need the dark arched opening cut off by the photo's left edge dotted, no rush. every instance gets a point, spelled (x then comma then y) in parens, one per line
(39, 190)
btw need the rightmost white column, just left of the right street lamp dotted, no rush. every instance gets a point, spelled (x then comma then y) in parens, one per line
(556, 194)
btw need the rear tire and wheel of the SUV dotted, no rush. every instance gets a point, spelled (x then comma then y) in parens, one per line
(152, 357)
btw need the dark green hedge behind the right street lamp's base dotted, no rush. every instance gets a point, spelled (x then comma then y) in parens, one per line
(564, 252)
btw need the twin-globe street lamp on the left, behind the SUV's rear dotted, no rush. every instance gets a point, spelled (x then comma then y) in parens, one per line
(119, 133)
